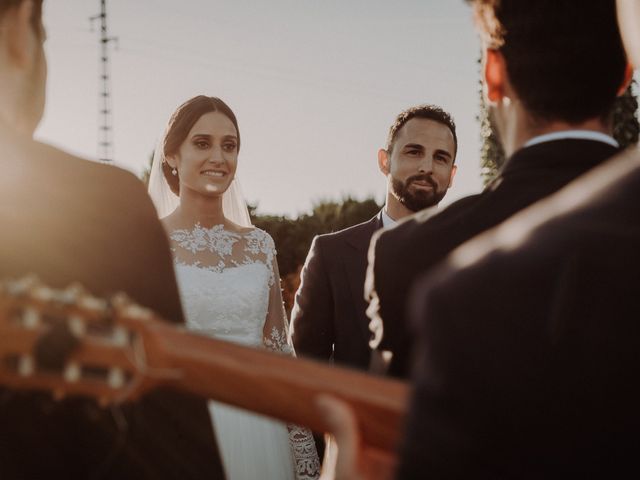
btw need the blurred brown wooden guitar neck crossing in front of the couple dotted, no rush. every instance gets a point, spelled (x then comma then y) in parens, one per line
(278, 385)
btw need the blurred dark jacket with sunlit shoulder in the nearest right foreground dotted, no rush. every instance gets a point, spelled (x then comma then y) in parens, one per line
(527, 363)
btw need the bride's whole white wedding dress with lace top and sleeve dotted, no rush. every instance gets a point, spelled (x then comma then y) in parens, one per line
(230, 290)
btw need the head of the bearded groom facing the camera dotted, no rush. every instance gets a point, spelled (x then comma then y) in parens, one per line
(418, 159)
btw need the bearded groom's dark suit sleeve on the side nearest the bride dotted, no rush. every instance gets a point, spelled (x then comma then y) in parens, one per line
(312, 316)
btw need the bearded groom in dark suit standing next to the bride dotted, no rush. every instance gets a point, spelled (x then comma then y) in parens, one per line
(329, 320)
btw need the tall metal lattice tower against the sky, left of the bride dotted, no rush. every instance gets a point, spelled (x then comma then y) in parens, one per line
(105, 127)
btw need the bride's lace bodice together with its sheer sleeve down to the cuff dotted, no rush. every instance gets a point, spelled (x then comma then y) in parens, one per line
(230, 289)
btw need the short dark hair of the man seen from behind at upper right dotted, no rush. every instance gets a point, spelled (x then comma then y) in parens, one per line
(564, 58)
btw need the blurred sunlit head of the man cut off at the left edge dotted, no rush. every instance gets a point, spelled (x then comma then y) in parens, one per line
(23, 69)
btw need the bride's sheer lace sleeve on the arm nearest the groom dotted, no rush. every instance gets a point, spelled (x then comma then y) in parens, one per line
(276, 338)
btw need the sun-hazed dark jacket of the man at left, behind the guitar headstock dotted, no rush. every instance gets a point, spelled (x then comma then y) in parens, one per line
(71, 220)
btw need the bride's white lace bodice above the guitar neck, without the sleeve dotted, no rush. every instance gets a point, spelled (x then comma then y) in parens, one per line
(224, 279)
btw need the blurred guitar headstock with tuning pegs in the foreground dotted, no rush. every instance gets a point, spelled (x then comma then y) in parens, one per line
(71, 343)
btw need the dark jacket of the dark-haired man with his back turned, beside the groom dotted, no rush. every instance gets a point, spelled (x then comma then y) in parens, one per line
(401, 254)
